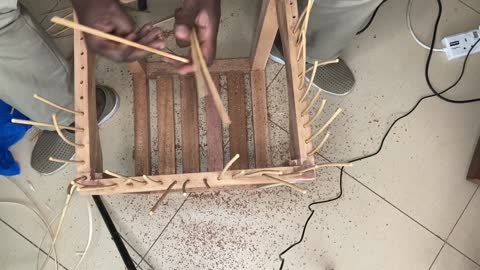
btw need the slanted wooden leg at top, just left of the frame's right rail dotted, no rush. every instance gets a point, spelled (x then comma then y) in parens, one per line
(266, 31)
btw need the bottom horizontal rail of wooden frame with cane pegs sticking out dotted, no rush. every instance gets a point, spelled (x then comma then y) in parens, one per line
(196, 183)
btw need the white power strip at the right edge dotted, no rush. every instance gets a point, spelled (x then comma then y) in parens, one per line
(458, 45)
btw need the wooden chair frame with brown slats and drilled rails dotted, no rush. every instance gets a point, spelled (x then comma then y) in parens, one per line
(275, 14)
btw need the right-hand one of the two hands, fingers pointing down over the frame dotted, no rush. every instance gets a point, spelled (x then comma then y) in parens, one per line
(204, 15)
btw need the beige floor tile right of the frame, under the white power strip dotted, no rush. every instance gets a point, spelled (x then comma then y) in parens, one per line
(426, 156)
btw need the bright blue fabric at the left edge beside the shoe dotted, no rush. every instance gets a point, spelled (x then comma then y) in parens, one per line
(10, 133)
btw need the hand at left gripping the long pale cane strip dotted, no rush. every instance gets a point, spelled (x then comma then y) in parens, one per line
(107, 16)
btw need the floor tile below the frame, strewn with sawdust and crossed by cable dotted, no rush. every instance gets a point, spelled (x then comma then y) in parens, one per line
(248, 229)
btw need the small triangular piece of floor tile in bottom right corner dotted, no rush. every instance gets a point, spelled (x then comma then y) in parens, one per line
(449, 259)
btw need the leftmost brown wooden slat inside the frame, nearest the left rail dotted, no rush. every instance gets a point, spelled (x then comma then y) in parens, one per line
(141, 152)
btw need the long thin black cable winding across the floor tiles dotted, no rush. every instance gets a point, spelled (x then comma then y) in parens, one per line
(383, 139)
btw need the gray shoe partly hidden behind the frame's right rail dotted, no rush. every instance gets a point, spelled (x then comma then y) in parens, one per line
(336, 79)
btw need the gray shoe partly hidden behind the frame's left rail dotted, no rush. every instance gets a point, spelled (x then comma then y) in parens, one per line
(49, 144)
